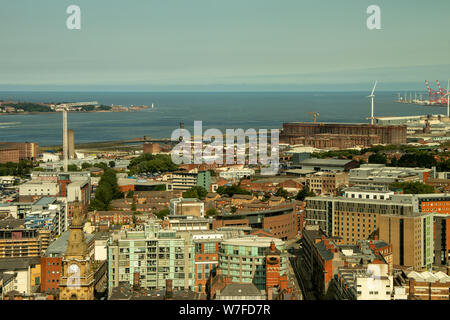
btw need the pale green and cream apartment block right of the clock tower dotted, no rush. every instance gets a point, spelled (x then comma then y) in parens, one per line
(152, 255)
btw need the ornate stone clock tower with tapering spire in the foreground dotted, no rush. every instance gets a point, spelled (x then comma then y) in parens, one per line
(77, 279)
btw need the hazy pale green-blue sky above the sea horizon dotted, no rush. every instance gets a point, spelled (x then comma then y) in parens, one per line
(211, 45)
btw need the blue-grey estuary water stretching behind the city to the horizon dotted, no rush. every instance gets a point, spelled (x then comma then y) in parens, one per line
(222, 110)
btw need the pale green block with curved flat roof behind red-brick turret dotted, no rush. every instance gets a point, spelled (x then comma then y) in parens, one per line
(244, 259)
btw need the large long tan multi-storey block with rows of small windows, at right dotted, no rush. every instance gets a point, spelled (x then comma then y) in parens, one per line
(409, 232)
